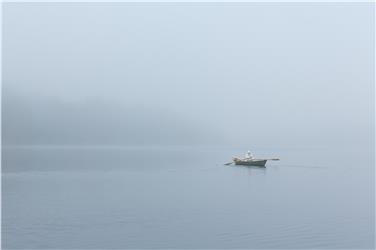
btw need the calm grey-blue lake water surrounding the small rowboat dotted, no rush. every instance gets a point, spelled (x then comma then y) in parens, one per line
(113, 197)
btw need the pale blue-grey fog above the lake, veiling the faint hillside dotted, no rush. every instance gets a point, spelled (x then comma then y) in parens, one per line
(274, 74)
